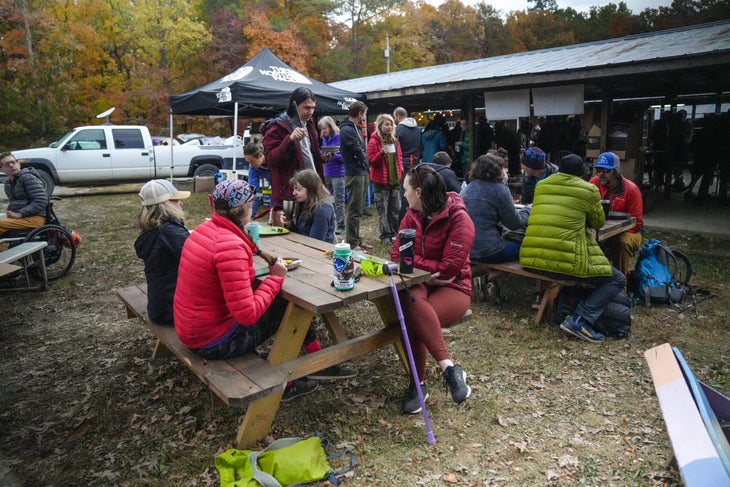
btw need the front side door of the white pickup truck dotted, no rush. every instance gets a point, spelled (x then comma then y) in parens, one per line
(85, 157)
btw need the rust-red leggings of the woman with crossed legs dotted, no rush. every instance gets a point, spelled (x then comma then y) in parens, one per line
(426, 310)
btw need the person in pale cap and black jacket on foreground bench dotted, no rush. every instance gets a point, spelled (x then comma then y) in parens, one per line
(160, 244)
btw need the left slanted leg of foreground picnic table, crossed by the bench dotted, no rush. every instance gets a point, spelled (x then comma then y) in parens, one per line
(287, 344)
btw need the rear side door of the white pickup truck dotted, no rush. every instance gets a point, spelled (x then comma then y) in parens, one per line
(131, 160)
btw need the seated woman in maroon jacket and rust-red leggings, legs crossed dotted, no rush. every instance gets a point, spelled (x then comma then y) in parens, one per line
(444, 235)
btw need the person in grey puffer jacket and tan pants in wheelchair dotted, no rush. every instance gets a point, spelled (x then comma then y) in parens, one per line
(27, 198)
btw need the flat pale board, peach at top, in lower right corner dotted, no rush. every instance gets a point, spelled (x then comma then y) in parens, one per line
(696, 456)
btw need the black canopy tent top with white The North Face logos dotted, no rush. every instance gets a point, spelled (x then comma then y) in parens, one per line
(259, 88)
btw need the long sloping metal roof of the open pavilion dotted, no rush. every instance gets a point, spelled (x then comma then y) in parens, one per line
(687, 60)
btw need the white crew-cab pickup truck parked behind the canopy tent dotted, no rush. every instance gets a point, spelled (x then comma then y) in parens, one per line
(111, 154)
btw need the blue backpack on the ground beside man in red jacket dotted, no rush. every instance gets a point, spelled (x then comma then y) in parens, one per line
(661, 275)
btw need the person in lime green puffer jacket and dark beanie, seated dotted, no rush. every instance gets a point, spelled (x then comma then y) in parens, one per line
(558, 242)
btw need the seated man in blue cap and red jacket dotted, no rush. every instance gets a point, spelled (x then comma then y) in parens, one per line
(623, 196)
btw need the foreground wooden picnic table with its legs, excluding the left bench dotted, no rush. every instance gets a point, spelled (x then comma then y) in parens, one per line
(309, 292)
